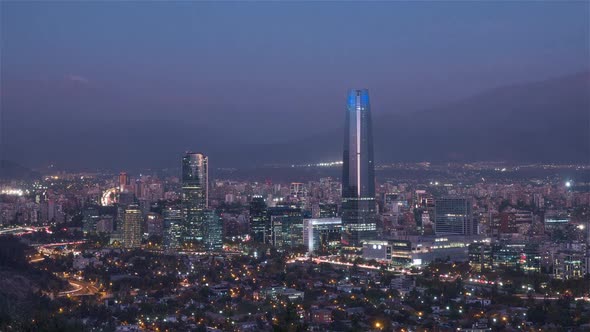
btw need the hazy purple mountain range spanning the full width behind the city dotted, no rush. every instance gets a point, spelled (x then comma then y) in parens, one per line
(545, 121)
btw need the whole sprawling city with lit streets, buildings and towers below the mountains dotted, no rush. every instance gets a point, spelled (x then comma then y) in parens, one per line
(462, 247)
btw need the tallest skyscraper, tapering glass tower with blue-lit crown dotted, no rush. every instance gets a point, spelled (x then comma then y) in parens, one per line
(358, 173)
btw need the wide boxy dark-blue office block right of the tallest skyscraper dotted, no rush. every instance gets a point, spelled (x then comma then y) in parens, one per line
(452, 215)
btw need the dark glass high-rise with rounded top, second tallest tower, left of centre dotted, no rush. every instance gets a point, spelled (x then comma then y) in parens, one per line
(194, 194)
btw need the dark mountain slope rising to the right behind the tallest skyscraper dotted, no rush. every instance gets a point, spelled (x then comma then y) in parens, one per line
(546, 121)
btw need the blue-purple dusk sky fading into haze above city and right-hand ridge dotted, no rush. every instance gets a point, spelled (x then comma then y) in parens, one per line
(87, 76)
